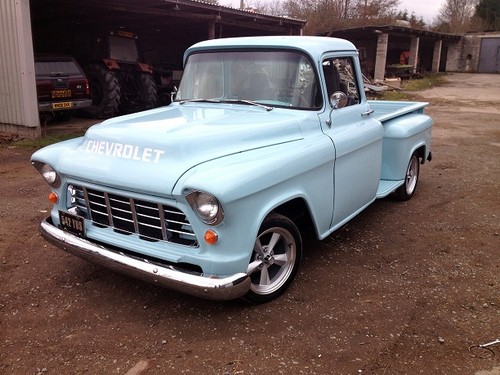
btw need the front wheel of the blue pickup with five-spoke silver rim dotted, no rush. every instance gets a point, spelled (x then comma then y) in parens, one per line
(275, 259)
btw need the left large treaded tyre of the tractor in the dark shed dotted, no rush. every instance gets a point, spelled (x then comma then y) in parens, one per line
(105, 92)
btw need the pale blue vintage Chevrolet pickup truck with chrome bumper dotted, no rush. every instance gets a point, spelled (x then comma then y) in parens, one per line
(209, 195)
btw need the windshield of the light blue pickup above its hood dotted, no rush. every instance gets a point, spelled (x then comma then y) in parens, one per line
(277, 78)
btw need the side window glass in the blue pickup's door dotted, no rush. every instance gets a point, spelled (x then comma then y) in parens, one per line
(340, 76)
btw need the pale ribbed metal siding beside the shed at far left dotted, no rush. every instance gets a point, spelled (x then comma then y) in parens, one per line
(18, 102)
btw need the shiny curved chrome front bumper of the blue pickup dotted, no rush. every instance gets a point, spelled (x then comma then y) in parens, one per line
(227, 288)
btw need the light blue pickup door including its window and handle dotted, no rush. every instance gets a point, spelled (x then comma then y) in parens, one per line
(356, 135)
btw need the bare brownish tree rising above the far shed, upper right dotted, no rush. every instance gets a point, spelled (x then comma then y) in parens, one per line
(455, 16)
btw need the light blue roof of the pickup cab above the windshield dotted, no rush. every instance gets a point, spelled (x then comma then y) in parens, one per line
(315, 46)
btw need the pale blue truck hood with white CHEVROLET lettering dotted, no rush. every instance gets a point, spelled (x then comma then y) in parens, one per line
(149, 151)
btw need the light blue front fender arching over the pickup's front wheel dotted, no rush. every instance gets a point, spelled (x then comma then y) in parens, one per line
(251, 184)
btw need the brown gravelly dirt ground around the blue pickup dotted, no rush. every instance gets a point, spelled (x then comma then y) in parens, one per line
(405, 288)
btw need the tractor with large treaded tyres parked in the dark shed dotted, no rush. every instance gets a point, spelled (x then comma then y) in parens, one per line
(119, 82)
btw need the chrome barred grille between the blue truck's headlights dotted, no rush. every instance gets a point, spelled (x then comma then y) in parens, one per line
(150, 221)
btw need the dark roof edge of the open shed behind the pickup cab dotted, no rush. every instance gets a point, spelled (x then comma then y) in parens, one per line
(181, 14)
